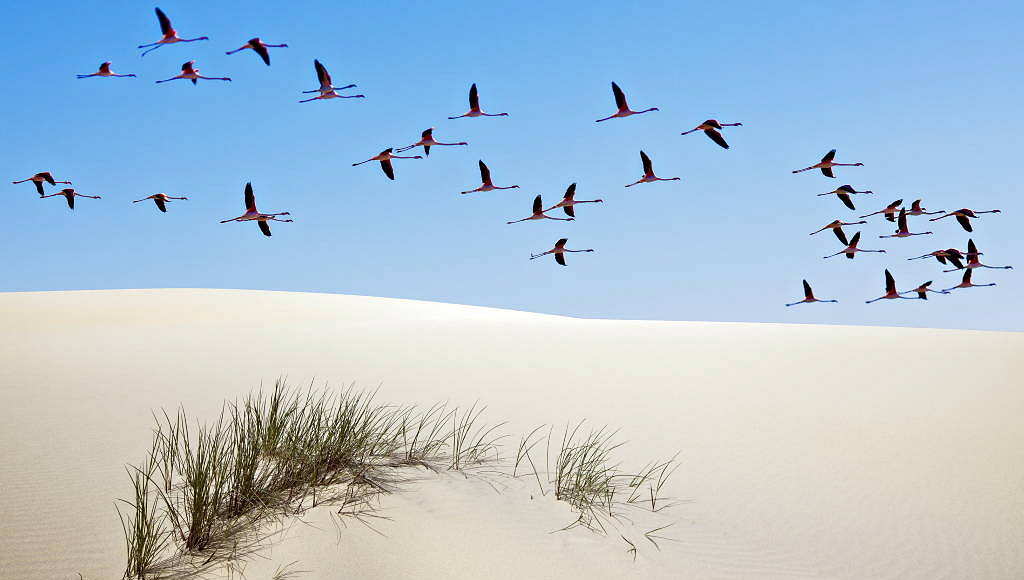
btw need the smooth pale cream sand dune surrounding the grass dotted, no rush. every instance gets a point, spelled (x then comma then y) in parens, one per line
(806, 451)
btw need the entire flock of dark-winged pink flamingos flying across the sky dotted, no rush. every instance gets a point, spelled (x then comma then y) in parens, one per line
(894, 213)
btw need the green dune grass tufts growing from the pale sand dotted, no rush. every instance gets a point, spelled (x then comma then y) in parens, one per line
(206, 492)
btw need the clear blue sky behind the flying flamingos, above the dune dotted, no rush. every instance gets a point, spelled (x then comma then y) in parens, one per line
(926, 95)
